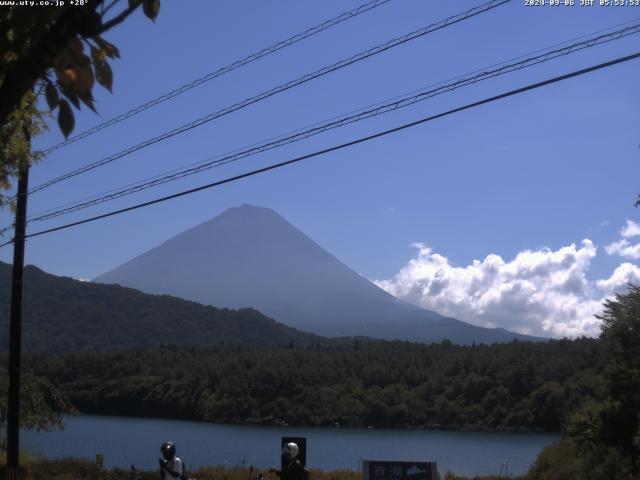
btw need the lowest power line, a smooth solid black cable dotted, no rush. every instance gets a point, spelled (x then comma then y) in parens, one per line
(343, 145)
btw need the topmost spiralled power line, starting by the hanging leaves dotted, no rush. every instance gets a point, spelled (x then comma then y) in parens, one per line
(222, 71)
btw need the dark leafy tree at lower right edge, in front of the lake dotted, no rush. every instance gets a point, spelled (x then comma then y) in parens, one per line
(601, 438)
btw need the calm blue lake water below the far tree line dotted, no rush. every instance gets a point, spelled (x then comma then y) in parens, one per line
(127, 441)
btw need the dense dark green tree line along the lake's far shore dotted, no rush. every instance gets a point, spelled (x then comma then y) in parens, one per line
(515, 386)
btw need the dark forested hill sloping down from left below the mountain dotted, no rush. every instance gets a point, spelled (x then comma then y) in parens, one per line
(61, 314)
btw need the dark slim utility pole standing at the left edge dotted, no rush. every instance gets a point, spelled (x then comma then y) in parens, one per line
(15, 329)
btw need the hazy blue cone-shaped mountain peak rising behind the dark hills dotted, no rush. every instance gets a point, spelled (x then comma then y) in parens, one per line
(252, 257)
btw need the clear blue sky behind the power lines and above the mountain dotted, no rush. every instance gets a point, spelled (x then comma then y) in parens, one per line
(538, 172)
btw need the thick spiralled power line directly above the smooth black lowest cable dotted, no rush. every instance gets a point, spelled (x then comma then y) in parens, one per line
(398, 103)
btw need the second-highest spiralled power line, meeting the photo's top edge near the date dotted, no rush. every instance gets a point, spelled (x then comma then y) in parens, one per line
(485, 7)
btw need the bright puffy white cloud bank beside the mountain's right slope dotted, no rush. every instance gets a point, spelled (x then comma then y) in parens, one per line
(540, 292)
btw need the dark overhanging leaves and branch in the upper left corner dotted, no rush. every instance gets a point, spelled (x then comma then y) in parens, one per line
(57, 53)
